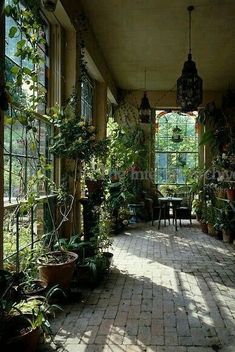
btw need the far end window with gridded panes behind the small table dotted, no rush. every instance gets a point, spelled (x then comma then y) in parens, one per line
(174, 160)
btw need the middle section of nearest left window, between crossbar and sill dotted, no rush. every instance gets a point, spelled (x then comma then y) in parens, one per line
(20, 157)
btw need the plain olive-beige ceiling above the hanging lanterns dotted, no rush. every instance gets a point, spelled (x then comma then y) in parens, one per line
(153, 34)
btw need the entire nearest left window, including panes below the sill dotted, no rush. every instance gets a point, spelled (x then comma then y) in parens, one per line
(27, 136)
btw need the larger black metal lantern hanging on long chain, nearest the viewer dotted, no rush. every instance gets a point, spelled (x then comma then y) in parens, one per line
(189, 85)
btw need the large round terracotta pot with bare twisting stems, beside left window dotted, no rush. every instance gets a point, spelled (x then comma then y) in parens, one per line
(58, 273)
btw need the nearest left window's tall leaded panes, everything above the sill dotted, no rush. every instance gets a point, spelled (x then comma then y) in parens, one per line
(20, 156)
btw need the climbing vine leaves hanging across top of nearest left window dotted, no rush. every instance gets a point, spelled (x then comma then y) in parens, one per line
(31, 28)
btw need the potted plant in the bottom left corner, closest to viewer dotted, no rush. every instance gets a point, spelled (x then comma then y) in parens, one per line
(22, 319)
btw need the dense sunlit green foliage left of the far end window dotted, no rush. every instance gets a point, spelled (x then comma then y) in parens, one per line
(126, 161)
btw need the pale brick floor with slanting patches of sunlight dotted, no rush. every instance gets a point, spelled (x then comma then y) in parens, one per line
(167, 292)
